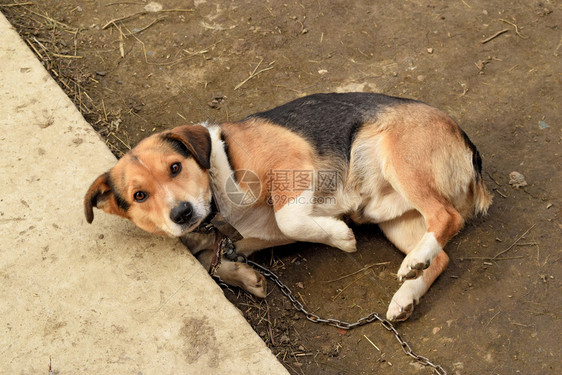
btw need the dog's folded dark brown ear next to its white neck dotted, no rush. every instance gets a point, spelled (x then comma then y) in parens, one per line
(192, 140)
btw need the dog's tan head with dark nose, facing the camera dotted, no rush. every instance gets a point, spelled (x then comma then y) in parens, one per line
(161, 185)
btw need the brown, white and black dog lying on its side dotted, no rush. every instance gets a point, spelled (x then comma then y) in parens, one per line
(294, 173)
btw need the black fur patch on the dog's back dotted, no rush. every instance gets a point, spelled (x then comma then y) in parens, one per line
(330, 121)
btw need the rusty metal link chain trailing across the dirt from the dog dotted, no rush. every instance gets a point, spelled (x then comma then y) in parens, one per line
(346, 325)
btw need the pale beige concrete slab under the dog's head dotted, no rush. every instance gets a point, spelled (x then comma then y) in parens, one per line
(104, 298)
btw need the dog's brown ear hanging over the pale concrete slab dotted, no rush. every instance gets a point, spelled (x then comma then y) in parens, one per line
(102, 196)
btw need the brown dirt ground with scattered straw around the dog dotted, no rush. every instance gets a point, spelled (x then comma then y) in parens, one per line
(492, 65)
